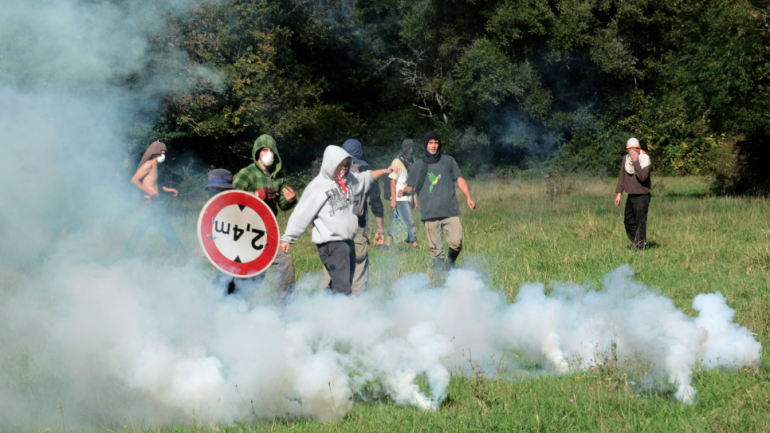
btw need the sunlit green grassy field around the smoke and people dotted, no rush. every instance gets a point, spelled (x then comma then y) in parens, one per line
(569, 230)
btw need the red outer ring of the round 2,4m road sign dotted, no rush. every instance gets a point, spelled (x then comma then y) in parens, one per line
(206, 226)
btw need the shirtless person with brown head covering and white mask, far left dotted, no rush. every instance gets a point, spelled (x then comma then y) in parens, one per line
(152, 211)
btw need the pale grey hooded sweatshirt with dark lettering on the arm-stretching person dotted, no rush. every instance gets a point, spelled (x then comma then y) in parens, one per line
(325, 204)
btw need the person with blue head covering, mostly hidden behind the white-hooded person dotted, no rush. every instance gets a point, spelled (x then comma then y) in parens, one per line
(361, 206)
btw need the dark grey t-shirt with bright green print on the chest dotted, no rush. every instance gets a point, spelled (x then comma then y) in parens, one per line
(437, 197)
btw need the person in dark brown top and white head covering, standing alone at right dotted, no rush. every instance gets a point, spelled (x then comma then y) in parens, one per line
(634, 179)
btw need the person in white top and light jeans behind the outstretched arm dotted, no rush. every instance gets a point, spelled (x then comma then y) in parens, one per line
(404, 204)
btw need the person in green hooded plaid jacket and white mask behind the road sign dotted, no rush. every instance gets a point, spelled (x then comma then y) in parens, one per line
(265, 180)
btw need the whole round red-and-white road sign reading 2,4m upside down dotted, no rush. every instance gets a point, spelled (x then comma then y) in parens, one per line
(238, 233)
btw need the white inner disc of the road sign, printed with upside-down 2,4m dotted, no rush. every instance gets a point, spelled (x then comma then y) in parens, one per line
(239, 233)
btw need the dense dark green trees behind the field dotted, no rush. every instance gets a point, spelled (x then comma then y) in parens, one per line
(509, 84)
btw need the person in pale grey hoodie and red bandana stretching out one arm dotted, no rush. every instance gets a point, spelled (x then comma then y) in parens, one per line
(328, 202)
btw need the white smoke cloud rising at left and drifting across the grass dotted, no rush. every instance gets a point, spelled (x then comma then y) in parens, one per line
(134, 340)
